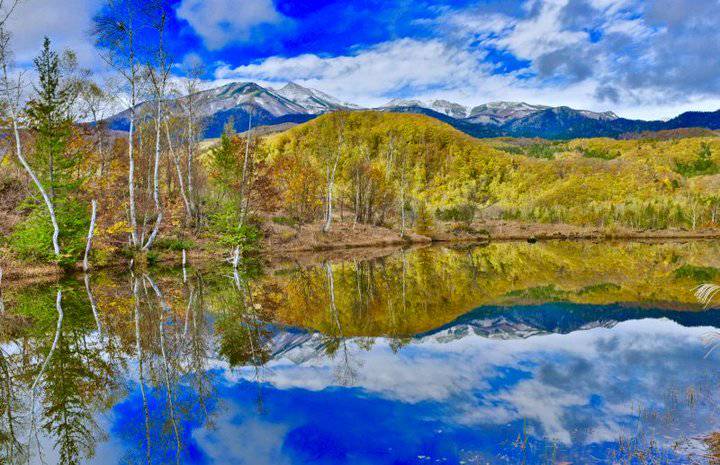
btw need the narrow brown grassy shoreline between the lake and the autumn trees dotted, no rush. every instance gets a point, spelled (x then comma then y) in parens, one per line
(336, 246)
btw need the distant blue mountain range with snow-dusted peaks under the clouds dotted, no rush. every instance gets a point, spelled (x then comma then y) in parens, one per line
(296, 104)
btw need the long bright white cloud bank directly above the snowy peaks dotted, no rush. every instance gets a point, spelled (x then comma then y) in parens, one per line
(426, 70)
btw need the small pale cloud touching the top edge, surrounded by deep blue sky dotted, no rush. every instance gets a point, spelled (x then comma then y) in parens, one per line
(223, 22)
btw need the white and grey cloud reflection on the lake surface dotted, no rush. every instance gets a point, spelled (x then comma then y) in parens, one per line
(576, 389)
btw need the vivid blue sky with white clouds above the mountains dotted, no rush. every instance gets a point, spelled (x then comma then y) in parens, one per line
(650, 59)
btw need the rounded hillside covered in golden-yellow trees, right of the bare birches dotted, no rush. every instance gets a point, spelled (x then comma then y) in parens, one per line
(438, 173)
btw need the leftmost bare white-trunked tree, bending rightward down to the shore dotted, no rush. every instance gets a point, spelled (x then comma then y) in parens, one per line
(11, 91)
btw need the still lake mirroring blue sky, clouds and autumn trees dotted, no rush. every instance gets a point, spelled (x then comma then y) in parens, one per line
(503, 353)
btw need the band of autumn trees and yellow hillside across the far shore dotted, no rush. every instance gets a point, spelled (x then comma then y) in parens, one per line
(355, 170)
